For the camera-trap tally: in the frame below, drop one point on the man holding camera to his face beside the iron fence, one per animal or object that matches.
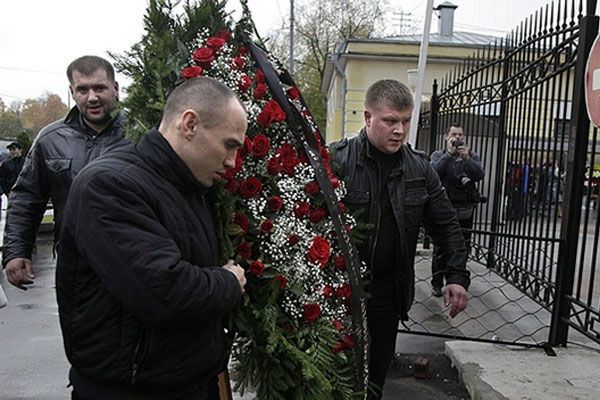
(459, 168)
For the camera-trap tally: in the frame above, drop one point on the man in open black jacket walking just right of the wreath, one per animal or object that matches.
(397, 190)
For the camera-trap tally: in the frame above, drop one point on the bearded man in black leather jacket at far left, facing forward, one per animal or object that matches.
(59, 152)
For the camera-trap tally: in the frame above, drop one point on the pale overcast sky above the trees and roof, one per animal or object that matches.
(39, 38)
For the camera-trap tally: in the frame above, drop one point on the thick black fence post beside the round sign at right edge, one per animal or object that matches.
(575, 168)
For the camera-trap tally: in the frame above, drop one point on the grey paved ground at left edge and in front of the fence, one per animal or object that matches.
(33, 365)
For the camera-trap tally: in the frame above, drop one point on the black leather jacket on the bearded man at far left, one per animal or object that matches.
(58, 153)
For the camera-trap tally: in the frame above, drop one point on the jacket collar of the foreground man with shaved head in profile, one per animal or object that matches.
(158, 153)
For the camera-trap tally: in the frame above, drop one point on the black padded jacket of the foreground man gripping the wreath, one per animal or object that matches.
(140, 291)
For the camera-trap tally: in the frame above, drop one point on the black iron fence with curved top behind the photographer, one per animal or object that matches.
(535, 242)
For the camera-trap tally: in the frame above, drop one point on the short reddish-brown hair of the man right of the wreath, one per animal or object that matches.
(388, 92)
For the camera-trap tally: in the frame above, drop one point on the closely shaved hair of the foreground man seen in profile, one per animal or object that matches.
(207, 96)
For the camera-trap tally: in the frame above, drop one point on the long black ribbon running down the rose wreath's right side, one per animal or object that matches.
(304, 134)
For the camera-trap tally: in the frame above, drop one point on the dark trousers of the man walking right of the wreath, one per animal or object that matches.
(382, 319)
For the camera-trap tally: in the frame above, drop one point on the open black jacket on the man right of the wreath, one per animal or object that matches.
(417, 197)
